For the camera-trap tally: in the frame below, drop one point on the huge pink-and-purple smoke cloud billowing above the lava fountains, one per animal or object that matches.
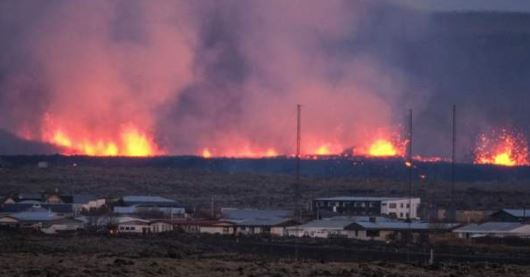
(228, 74)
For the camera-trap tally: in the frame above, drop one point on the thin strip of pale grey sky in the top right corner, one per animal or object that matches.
(470, 5)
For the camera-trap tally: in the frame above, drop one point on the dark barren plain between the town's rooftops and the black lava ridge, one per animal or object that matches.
(196, 188)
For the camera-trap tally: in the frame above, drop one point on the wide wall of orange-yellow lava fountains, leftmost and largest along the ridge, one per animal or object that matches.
(131, 142)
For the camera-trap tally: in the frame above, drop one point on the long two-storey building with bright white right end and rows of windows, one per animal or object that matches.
(397, 207)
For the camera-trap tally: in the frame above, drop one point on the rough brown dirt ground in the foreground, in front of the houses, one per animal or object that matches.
(39, 255)
